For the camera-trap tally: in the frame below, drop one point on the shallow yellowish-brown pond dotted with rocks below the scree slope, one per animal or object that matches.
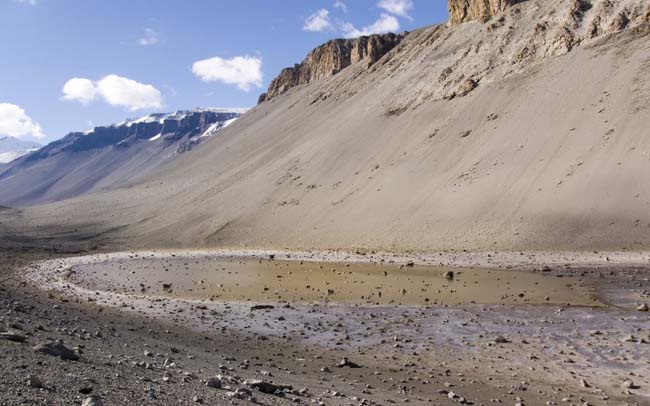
(237, 279)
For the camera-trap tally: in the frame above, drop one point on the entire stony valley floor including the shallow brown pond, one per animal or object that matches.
(131, 327)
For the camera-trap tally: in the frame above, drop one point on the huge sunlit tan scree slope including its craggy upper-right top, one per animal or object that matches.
(549, 148)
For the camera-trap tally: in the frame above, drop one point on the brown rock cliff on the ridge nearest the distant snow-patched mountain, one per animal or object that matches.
(330, 58)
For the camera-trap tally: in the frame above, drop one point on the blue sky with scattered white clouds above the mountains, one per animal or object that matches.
(132, 57)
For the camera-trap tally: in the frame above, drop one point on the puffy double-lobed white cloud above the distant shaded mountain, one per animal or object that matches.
(114, 90)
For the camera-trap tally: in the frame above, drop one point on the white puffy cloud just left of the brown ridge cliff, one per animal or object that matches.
(243, 71)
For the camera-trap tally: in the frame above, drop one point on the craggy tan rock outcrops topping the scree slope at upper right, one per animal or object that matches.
(519, 34)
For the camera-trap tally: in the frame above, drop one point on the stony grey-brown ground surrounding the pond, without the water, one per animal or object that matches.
(147, 349)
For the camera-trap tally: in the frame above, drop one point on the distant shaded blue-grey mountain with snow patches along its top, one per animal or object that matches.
(105, 157)
